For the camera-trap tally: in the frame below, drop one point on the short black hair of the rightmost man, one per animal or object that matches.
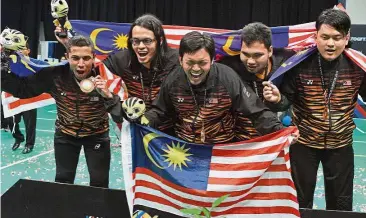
(335, 18)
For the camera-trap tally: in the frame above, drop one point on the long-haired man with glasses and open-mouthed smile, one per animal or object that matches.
(146, 63)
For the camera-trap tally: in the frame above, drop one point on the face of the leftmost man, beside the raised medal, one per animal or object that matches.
(81, 61)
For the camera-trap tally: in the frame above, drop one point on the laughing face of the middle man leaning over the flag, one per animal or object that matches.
(196, 66)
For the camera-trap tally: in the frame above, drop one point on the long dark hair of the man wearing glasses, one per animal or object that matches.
(152, 23)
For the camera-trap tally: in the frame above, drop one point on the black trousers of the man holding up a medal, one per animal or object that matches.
(97, 154)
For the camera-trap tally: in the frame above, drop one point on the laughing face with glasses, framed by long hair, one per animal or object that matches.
(144, 45)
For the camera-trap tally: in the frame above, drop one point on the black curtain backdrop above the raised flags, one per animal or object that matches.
(26, 15)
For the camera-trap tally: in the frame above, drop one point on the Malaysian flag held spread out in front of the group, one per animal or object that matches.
(165, 176)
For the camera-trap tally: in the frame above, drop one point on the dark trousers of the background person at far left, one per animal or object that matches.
(30, 122)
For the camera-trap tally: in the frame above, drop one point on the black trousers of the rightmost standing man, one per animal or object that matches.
(338, 169)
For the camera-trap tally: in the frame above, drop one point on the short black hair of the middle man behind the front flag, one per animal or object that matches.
(194, 41)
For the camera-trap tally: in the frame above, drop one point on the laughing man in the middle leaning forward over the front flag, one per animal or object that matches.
(202, 97)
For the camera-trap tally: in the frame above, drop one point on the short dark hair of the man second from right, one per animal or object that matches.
(257, 32)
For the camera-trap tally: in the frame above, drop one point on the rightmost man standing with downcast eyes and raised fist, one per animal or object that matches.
(323, 90)
